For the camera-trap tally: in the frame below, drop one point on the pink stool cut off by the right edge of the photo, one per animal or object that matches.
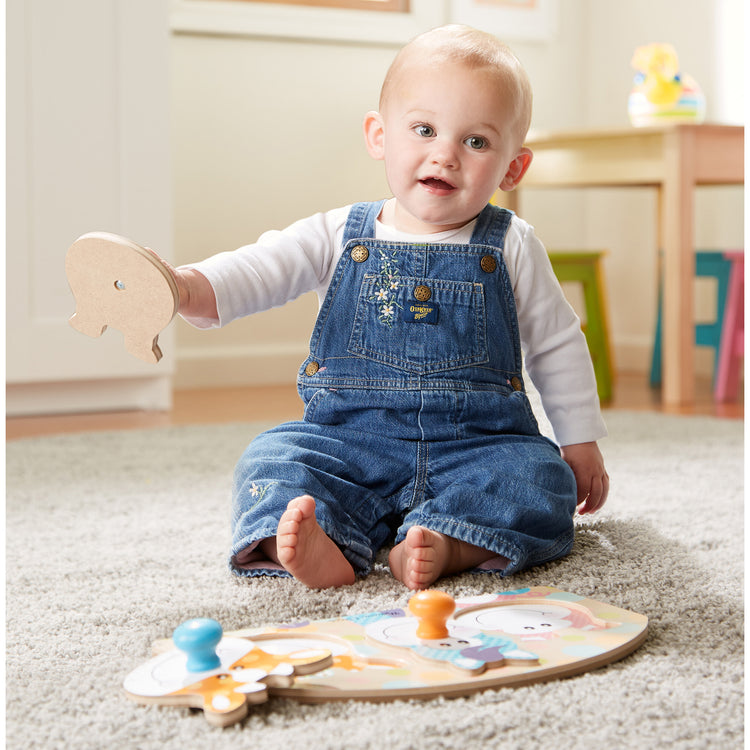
(732, 346)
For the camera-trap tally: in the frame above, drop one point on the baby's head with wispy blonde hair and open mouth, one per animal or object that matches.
(454, 111)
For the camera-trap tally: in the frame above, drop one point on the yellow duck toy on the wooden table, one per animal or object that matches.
(661, 94)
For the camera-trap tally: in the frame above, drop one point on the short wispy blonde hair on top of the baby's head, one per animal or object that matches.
(475, 49)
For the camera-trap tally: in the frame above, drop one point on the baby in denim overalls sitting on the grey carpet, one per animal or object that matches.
(417, 429)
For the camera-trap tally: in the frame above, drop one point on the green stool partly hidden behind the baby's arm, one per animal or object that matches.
(585, 267)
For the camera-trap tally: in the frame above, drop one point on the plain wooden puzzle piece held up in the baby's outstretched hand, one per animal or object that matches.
(120, 284)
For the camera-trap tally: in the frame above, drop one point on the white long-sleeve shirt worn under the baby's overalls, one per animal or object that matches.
(282, 265)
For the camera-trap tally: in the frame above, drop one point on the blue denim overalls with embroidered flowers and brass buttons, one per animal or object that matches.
(415, 411)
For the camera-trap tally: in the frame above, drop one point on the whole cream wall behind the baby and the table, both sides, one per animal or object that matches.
(267, 130)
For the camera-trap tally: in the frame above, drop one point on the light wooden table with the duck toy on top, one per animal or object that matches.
(674, 159)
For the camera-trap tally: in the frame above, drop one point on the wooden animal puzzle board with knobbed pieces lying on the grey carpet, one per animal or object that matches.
(438, 647)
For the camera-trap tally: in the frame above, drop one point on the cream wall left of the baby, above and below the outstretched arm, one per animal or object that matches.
(265, 132)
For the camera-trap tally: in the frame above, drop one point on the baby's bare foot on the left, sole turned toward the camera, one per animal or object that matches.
(306, 551)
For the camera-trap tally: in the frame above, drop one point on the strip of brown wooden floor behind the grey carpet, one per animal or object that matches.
(281, 403)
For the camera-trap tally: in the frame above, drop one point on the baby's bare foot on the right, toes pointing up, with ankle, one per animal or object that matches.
(426, 555)
